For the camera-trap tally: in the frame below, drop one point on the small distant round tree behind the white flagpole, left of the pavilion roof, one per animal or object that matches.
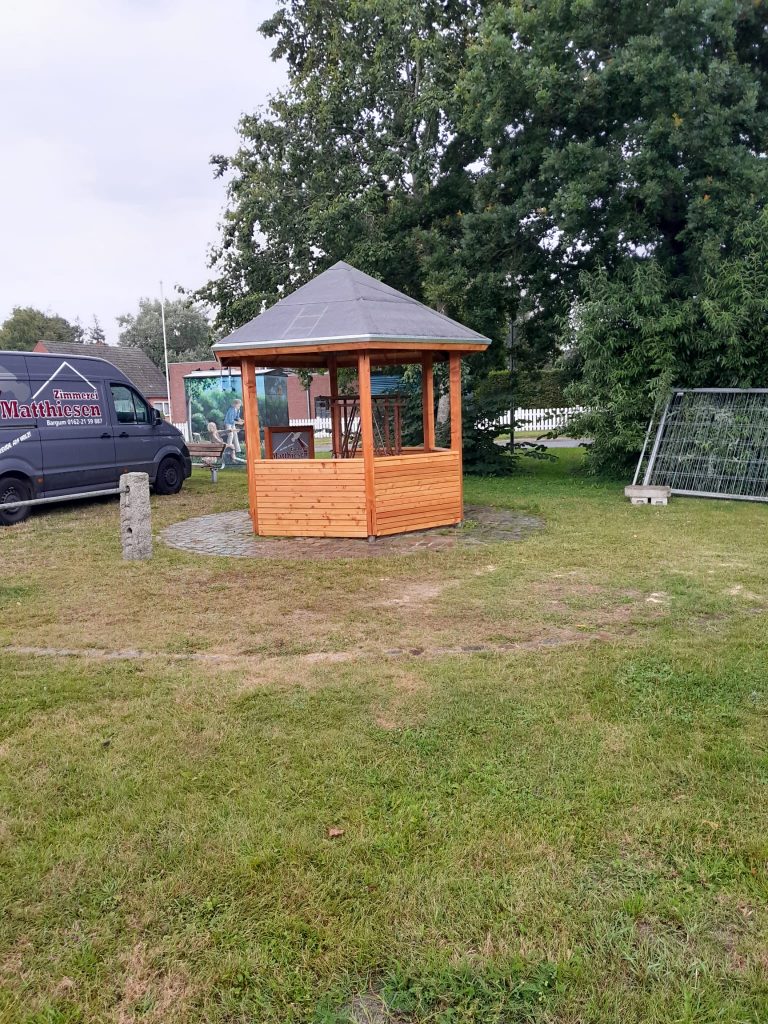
(188, 331)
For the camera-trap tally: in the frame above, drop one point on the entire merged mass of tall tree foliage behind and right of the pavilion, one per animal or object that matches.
(583, 168)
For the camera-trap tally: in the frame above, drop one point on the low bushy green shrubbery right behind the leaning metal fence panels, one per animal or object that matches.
(637, 343)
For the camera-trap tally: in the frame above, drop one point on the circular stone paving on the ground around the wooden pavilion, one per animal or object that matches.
(230, 534)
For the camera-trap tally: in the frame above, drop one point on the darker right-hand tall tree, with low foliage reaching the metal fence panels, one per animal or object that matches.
(625, 167)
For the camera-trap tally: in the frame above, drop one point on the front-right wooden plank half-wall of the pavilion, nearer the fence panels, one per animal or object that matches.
(418, 492)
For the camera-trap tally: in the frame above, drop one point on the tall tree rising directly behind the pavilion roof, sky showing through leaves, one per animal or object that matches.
(359, 158)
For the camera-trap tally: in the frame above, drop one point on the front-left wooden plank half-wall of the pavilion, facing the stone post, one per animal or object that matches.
(312, 498)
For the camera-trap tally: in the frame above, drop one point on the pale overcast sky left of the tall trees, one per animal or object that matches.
(109, 113)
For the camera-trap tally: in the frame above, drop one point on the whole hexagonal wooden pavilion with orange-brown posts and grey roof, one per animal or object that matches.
(372, 486)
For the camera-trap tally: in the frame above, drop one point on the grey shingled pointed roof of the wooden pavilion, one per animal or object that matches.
(345, 305)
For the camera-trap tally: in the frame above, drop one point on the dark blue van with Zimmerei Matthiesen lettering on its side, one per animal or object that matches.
(73, 424)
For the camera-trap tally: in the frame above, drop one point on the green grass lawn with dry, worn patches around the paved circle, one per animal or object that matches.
(573, 832)
